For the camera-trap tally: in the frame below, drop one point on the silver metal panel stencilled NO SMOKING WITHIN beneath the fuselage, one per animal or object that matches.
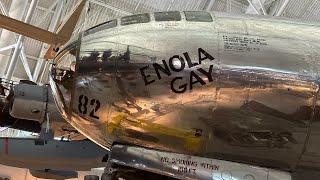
(190, 167)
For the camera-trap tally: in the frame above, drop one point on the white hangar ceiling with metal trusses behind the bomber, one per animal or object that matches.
(48, 14)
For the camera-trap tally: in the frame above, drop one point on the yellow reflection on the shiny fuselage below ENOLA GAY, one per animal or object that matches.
(141, 131)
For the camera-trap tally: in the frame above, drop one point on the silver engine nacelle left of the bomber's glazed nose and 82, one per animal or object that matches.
(33, 102)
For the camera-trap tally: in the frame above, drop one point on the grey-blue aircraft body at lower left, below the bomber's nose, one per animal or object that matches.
(51, 159)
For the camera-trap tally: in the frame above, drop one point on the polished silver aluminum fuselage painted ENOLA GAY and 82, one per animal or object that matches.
(240, 88)
